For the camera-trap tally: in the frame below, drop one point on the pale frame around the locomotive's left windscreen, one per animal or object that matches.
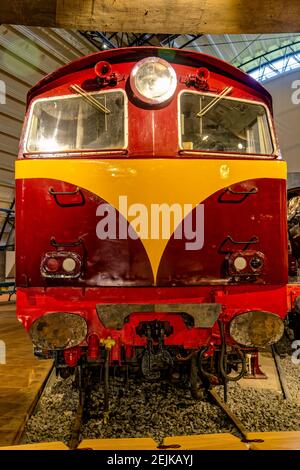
(63, 153)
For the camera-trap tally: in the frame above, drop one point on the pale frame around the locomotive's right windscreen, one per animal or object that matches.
(182, 150)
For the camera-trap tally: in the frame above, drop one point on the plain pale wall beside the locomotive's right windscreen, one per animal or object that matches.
(287, 120)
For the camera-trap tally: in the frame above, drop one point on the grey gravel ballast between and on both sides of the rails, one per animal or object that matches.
(157, 410)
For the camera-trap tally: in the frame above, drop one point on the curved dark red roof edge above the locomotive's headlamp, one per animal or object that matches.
(133, 53)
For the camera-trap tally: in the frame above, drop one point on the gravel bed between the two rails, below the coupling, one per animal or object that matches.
(157, 411)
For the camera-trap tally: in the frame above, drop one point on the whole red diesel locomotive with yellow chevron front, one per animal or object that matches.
(114, 144)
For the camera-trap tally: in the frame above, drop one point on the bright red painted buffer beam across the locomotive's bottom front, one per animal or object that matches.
(34, 302)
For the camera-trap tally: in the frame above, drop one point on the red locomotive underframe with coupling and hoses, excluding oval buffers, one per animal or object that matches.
(162, 341)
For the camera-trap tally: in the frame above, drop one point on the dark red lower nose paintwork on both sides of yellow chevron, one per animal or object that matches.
(132, 267)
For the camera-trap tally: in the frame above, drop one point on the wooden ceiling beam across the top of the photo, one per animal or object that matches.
(157, 16)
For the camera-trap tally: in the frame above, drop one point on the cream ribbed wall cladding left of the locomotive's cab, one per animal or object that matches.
(27, 55)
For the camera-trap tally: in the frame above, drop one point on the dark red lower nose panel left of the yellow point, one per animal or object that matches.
(101, 265)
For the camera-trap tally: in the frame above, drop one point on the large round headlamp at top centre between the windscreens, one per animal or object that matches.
(153, 80)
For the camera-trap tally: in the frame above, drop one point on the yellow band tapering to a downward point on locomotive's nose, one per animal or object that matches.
(151, 181)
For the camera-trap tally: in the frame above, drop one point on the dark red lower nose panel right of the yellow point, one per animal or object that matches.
(257, 215)
